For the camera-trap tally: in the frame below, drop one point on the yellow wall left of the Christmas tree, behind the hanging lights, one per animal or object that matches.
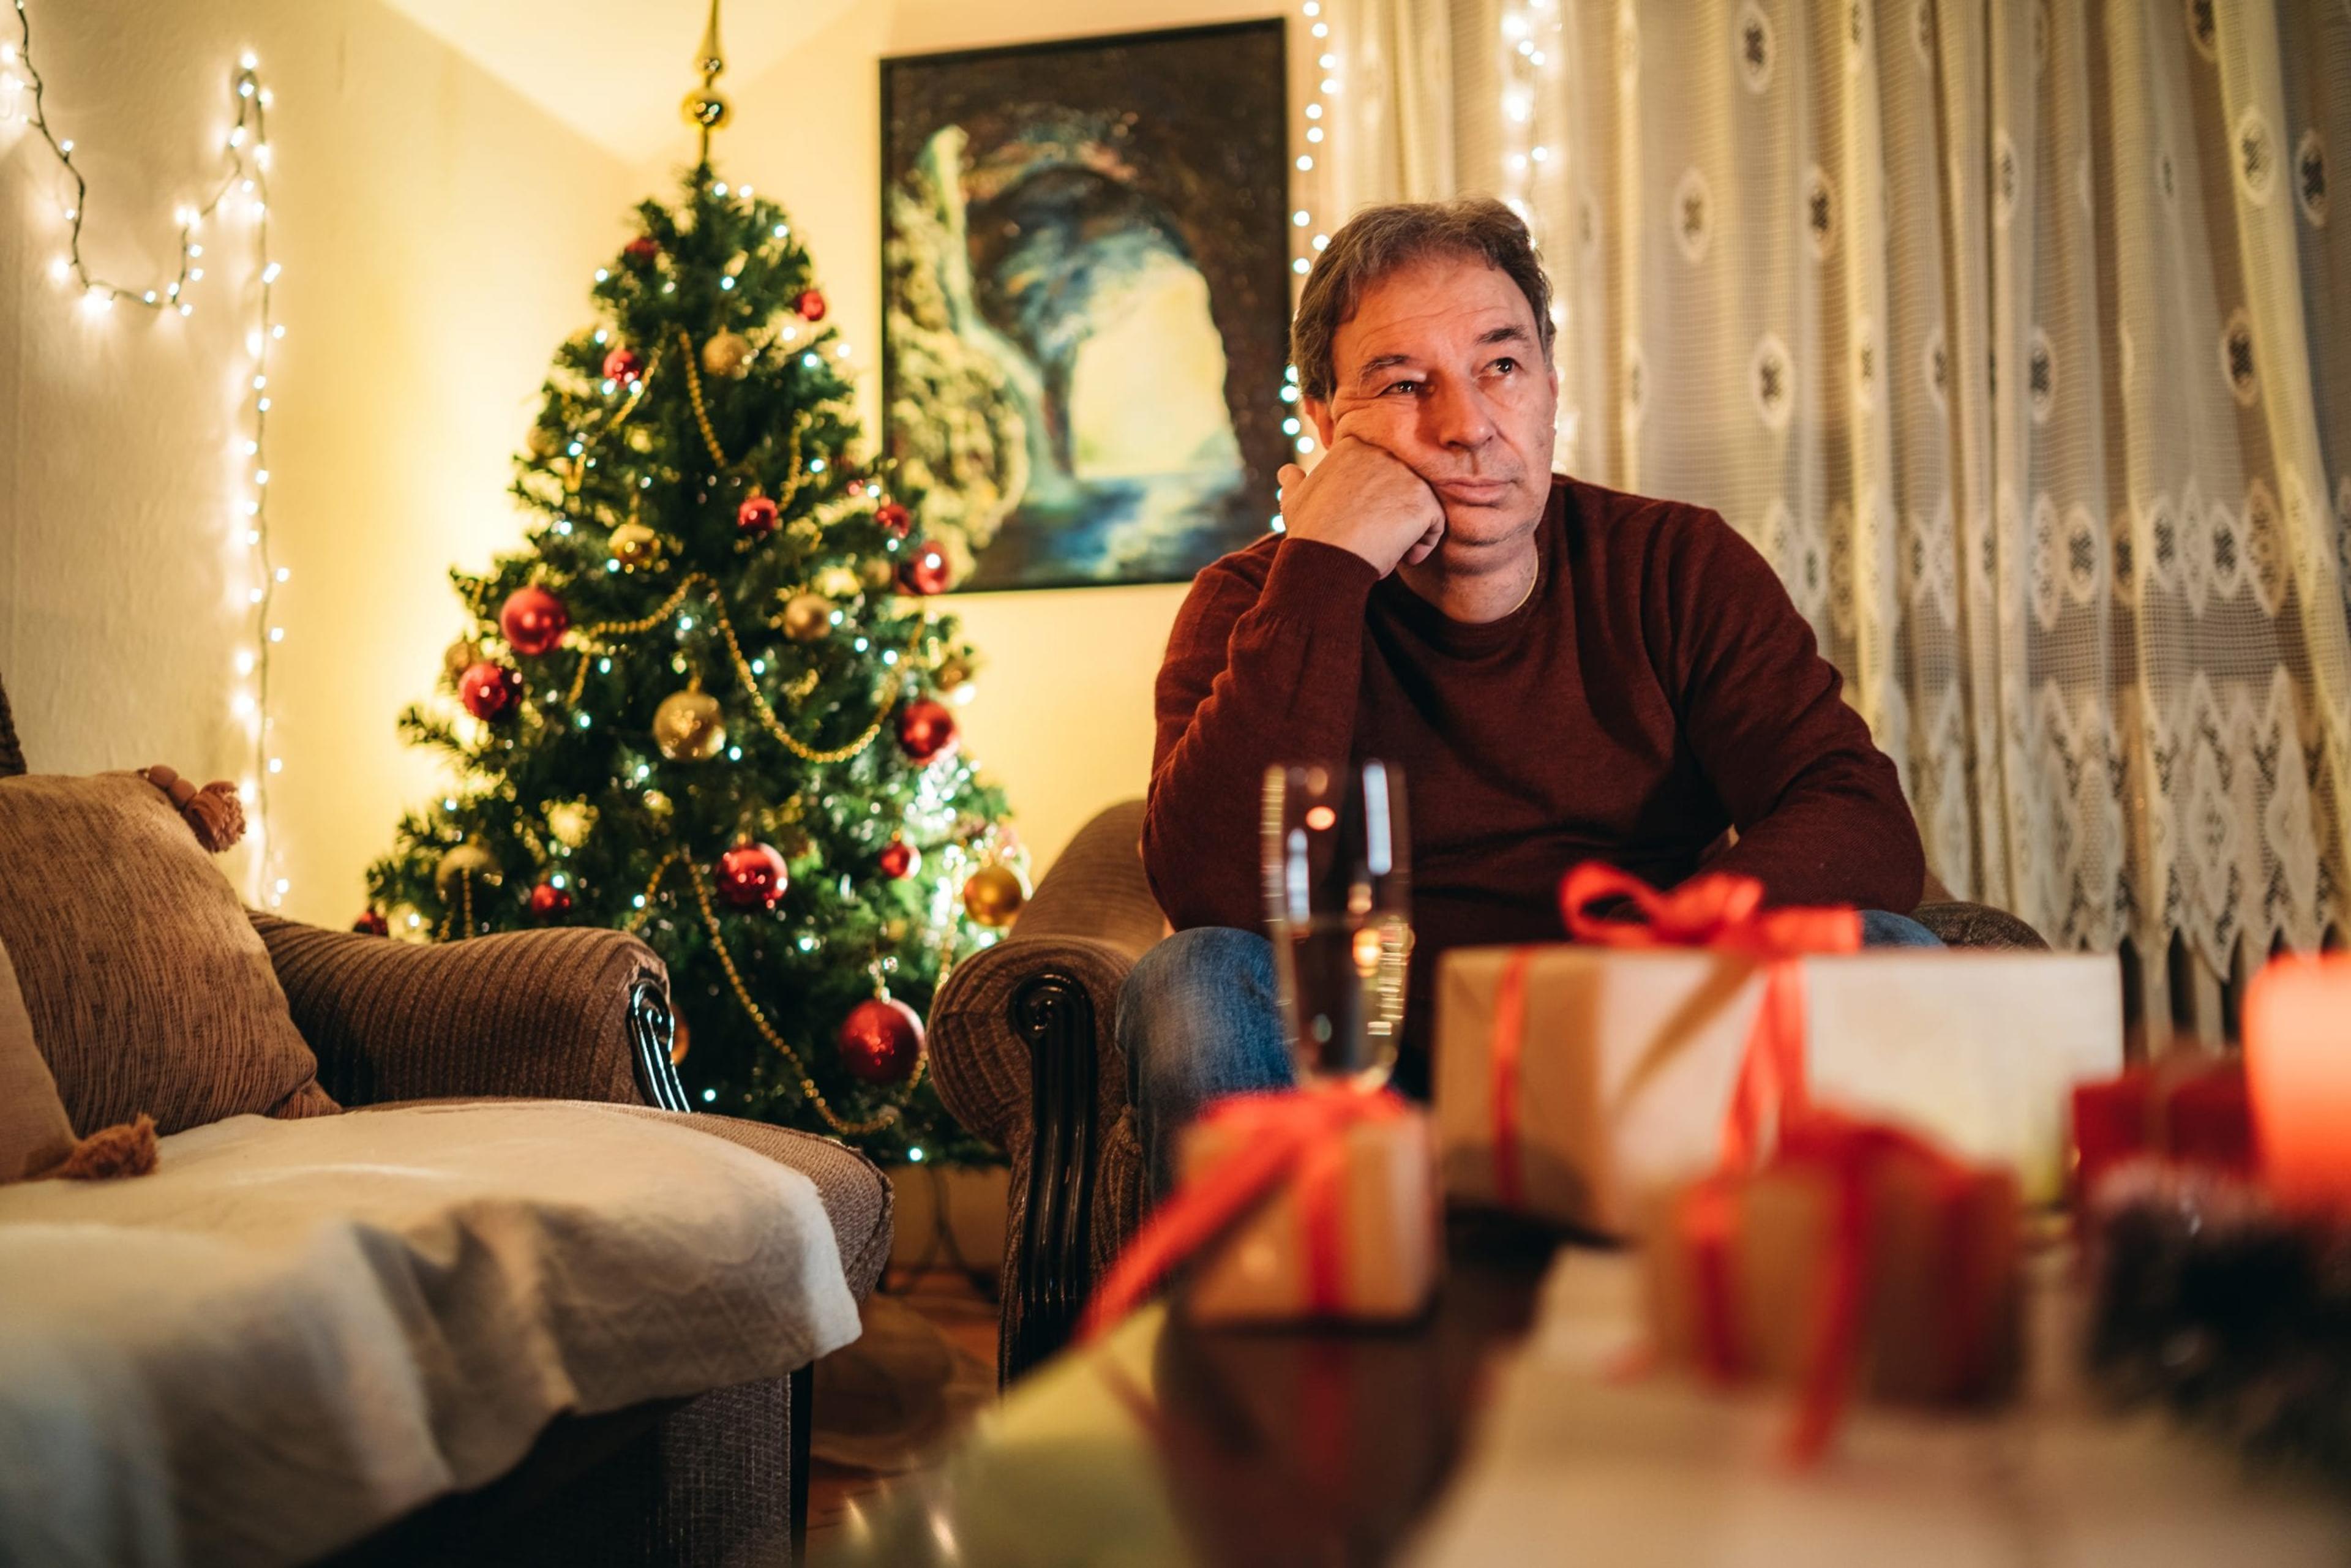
(436, 236)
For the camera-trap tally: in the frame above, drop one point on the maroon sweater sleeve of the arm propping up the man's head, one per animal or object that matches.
(1254, 676)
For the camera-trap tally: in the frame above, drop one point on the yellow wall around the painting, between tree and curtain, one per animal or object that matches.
(1064, 706)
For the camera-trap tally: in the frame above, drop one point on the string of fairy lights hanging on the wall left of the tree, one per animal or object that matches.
(241, 196)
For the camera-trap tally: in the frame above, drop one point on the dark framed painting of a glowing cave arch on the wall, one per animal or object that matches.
(1085, 290)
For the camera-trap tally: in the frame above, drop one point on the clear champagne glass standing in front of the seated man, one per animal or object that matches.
(1339, 913)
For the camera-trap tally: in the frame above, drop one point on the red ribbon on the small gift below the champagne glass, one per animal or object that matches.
(1290, 1137)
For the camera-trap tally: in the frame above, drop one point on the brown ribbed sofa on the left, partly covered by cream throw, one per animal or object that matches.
(714, 1475)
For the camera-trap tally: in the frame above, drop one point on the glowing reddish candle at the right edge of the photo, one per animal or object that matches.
(2298, 1073)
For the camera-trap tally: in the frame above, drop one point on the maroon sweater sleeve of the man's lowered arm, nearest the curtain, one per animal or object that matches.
(1818, 808)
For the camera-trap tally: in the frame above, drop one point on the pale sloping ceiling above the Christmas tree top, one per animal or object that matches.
(615, 69)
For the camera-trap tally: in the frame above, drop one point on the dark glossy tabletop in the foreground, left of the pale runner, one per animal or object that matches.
(1179, 1445)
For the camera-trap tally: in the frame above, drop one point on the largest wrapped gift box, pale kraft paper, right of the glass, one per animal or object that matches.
(1628, 1064)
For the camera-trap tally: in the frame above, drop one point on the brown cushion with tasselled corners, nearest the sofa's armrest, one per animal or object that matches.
(145, 981)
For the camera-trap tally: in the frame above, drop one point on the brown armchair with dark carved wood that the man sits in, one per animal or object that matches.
(1026, 1054)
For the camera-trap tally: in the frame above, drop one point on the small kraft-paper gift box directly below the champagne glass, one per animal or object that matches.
(1381, 1249)
